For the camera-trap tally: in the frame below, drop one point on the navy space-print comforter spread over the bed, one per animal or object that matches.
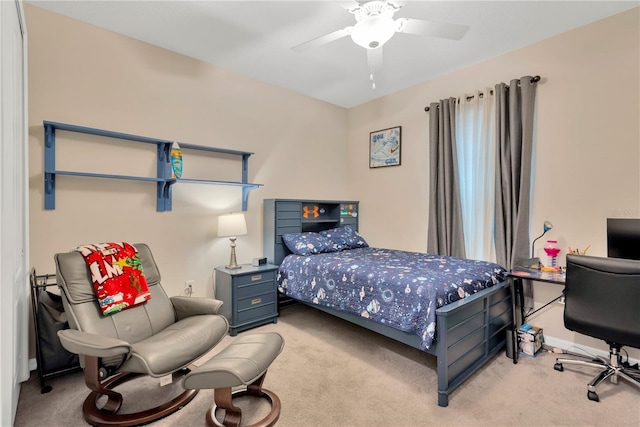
(396, 288)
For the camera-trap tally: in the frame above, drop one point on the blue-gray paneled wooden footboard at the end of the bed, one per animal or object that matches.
(469, 332)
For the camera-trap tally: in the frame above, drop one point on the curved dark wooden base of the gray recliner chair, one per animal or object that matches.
(107, 415)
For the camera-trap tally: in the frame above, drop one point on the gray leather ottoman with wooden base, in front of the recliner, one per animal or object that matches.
(243, 363)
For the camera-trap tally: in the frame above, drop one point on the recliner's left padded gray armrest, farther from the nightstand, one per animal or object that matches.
(87, 344)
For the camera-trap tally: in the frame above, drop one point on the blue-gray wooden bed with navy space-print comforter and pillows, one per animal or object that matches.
(455, 309)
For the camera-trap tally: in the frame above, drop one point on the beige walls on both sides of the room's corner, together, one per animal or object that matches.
(586, 168)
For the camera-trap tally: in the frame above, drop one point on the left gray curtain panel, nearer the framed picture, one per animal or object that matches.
(445, 235)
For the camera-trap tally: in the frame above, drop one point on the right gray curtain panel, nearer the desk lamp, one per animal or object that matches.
(514, 133)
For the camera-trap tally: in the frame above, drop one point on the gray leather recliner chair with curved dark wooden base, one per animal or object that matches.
(161, 337)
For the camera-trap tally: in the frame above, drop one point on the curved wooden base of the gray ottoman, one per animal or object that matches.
(223, 399)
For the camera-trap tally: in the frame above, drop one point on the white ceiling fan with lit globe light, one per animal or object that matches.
(375, 26)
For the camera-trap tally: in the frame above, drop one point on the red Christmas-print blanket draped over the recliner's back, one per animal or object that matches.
(117, 276)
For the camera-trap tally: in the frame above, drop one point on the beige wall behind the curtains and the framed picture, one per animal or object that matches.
(587, 144)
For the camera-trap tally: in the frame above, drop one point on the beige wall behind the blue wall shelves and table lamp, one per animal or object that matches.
(84, 75)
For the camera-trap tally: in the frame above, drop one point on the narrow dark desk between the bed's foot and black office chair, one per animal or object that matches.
(515, 276)
